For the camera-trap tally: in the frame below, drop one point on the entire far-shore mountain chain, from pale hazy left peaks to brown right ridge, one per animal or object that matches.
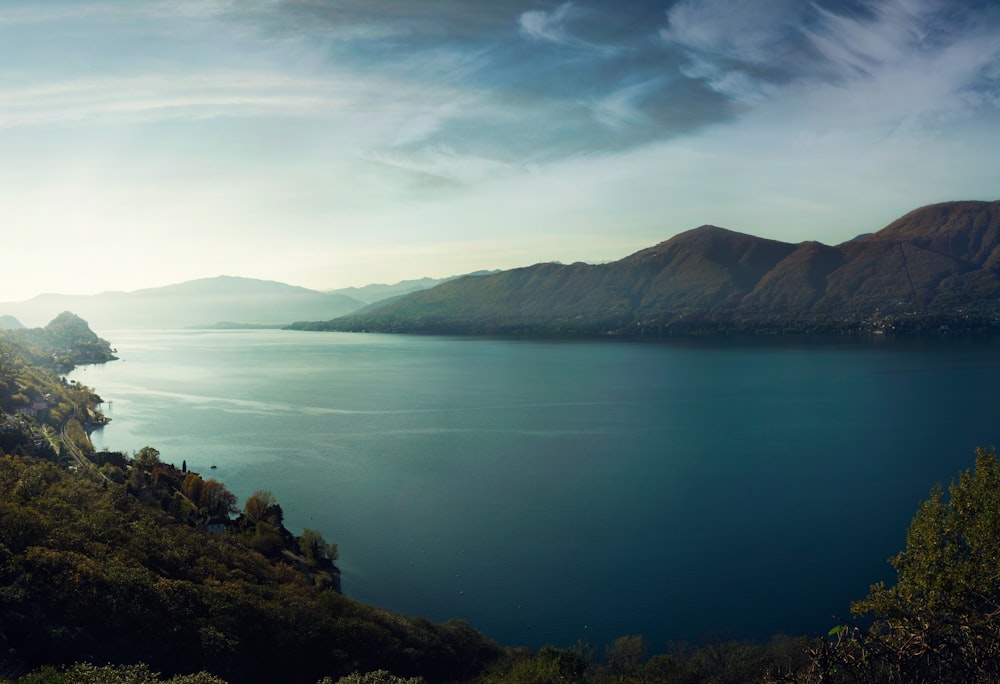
(936, 266)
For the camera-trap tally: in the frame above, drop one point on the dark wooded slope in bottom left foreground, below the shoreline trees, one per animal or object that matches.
(90, 572)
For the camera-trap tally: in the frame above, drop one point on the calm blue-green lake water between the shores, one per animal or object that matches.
(551, 491)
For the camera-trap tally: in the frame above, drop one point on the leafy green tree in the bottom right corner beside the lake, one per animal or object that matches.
(941, 620)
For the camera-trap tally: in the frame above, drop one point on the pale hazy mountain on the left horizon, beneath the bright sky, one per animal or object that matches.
(200, 302)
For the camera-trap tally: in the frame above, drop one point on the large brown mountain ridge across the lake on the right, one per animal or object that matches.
(936, 266)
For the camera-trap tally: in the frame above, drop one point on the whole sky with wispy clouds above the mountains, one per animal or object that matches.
(331, 143)
